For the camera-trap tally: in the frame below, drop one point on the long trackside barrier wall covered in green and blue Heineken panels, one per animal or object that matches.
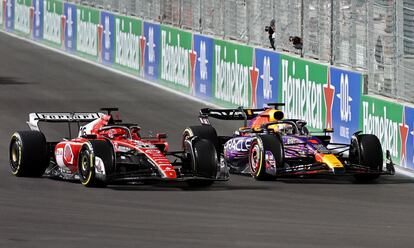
(218, 71)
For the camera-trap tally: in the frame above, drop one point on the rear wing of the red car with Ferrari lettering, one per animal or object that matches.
(58, 117)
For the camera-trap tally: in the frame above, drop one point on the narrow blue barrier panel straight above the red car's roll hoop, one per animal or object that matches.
(107, 39)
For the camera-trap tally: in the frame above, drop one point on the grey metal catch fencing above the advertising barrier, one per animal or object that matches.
(372, 36)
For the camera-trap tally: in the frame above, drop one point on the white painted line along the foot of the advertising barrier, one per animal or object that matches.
(401, 171)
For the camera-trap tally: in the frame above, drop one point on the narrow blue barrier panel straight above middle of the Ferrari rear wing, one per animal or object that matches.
(70, 26)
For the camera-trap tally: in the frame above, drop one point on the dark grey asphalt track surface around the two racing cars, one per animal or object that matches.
(240, 213)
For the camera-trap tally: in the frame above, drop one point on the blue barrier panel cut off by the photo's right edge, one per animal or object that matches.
(408, 147)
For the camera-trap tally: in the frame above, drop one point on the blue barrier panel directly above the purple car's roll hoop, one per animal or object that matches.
(267, 64)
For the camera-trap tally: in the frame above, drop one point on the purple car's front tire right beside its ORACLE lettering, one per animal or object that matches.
(257, 155)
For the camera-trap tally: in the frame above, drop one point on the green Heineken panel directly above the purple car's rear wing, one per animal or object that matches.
(231, 74)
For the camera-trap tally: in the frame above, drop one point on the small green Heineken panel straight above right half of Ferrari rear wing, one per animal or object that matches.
(87, 32)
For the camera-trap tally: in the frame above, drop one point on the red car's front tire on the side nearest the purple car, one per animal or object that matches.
(205, 162)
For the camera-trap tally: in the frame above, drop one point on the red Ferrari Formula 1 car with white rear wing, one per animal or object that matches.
(107, 151)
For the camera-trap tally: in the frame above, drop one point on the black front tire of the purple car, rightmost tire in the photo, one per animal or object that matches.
(366, 150)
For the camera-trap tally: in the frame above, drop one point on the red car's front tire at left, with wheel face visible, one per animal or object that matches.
(90, 151)
